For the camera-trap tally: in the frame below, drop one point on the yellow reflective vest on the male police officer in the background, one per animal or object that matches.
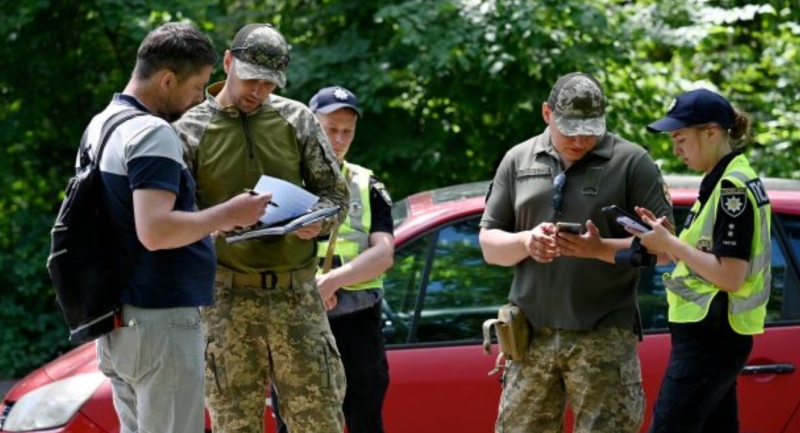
(353, 237)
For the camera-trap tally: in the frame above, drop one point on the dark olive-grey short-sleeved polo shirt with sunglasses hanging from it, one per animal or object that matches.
(574, 293)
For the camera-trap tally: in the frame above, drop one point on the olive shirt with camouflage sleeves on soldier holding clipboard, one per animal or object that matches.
(228, 151)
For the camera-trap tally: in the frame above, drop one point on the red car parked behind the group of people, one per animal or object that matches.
(438, 294)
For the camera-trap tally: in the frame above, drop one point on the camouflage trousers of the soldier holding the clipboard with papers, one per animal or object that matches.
(254, 334)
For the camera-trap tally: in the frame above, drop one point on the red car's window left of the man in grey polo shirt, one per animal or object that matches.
(460, 289)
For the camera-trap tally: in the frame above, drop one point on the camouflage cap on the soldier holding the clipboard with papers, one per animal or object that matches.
(261, 53)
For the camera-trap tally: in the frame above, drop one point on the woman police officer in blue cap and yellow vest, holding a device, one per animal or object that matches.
(719, 289)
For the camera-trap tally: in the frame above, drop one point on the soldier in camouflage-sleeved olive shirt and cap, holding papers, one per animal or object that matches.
(269, 320)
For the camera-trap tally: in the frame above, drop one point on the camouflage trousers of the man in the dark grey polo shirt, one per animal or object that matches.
(596, 372)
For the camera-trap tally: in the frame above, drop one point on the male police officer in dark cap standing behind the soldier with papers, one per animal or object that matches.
(358, 255)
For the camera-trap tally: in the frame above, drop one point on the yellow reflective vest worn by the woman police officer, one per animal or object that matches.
(689, 295)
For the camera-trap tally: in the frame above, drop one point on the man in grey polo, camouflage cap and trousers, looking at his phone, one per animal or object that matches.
(581, 306)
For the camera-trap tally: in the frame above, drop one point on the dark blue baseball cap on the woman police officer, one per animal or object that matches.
(696, 107)
